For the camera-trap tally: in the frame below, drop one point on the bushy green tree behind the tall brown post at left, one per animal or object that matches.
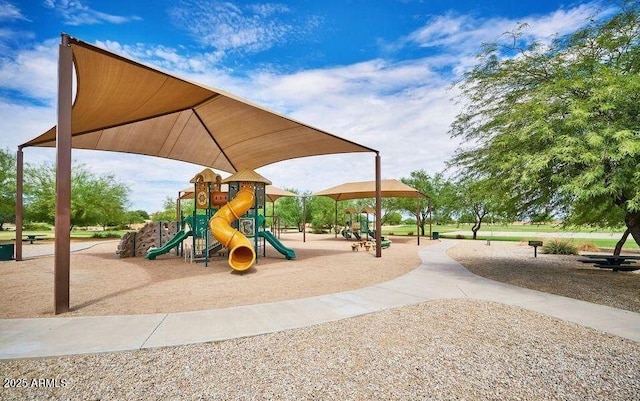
(94, 199)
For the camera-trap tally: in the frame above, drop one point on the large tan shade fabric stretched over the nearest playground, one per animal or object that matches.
(124, 106)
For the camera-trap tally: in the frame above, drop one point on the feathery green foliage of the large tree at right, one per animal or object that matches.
(556, 127)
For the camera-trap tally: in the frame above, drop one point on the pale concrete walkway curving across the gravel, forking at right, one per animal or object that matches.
(437, 277)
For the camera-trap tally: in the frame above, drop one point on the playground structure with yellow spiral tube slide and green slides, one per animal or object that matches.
(230, 220)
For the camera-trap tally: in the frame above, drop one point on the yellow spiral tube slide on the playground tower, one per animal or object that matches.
(241, 253)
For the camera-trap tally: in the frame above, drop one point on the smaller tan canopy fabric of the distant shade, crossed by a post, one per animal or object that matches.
(367, 189)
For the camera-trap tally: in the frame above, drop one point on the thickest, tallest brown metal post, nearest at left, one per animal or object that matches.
(63, 178)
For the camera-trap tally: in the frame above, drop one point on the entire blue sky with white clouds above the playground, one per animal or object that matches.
(375, 72)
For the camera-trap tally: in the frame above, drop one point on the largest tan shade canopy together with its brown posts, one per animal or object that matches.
(124, 106)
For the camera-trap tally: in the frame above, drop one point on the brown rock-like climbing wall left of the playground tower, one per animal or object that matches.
(151, 234)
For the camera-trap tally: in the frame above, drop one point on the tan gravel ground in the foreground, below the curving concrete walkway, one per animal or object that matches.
(440, 350)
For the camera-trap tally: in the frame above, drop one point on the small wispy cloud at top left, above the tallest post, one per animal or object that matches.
(73, 12)
